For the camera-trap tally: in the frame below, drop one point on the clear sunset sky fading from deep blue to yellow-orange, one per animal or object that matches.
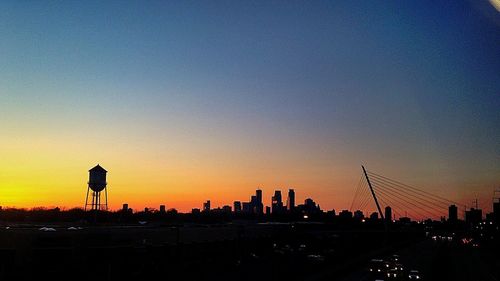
(184, 101)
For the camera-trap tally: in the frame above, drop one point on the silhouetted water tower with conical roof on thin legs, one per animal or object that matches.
(97, 183)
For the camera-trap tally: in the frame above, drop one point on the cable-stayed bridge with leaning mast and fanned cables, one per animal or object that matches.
(375, 192)
